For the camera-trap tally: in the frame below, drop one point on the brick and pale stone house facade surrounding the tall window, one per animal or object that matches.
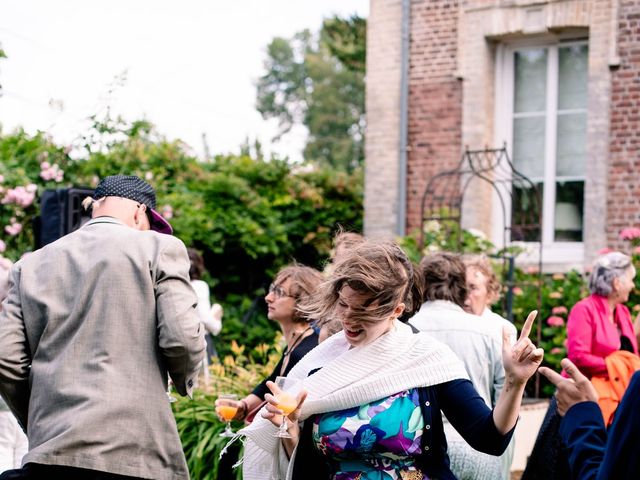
(454, 88)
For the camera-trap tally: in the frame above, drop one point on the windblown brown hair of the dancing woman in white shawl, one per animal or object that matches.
(380, 271)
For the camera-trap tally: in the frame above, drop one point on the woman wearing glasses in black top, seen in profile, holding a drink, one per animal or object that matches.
(293, 285)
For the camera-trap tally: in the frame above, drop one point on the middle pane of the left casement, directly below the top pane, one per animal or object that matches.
(528, 146)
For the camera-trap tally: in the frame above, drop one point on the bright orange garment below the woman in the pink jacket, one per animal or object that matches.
(620, 367)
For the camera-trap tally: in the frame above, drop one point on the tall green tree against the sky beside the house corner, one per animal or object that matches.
(318, 81)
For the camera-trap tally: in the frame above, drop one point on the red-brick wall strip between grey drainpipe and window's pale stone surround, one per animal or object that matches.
(435, 98)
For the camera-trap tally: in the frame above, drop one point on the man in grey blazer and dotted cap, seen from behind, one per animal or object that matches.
(92, 325)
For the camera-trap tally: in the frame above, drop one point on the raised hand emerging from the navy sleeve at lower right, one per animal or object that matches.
(571, 390)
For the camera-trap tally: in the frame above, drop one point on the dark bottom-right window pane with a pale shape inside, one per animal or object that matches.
(569, 211)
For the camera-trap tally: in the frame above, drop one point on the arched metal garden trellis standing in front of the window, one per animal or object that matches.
(518, 202)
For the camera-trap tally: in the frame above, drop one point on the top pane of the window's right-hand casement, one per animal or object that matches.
(572, 77)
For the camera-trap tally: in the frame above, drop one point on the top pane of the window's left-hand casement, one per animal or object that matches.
(530, 90)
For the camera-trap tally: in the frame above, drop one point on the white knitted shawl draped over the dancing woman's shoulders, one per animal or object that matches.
(396, 361)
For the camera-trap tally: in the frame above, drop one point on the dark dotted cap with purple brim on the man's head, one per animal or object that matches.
(136, 189)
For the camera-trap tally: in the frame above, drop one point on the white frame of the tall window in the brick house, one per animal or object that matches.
(556, 255)
